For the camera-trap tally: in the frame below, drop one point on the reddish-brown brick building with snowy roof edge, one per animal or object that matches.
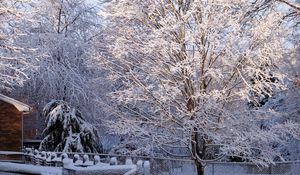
(11, 123)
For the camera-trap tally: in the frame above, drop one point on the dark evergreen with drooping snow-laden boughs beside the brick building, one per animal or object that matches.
(67, 131)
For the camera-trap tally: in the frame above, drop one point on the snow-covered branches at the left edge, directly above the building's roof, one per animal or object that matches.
(15, 64)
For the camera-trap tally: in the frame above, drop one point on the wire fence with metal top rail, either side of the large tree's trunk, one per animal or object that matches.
(176, 167)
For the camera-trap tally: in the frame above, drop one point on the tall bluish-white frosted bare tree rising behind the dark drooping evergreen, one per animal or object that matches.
(62, 32)
